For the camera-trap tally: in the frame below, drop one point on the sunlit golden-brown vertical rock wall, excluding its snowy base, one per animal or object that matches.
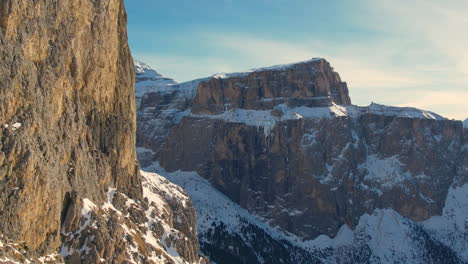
(67, 113)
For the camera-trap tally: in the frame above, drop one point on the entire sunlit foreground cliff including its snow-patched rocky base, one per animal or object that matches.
(70, 187)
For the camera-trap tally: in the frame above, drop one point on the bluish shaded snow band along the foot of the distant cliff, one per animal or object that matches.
(390, 237)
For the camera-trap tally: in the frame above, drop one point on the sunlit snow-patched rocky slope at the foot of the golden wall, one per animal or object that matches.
(155, 232)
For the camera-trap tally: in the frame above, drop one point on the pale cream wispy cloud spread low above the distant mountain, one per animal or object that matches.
(419, 56)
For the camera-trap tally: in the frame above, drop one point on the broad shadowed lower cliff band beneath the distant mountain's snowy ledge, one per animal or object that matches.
(312, 176)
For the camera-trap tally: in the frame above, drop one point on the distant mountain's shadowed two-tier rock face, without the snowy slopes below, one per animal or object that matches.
(307, 167)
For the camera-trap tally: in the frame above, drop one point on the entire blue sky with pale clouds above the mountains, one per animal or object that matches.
(406, 53)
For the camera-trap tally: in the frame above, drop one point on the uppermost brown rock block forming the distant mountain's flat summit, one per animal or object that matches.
(310, 83)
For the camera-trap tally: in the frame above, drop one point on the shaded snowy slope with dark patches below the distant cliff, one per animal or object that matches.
(381, 237)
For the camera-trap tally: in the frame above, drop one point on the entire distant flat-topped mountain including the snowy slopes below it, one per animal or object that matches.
(294, 173)
